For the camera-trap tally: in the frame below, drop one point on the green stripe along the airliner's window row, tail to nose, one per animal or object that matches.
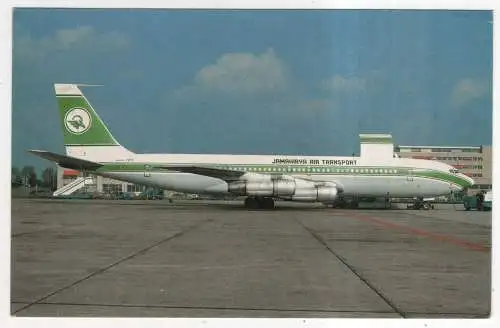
(312, 170)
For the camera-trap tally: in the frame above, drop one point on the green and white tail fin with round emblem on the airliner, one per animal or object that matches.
(85, 134)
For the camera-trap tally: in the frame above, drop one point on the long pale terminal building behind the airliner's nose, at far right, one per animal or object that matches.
(473, 161)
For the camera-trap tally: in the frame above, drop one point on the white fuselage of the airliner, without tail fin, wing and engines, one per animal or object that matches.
(397, 177)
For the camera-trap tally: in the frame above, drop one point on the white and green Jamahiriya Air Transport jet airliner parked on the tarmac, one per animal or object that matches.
(261, 179)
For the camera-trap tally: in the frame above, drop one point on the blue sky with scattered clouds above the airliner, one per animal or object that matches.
(284, 82)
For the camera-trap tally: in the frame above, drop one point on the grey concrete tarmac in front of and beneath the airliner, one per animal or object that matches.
(101, 258)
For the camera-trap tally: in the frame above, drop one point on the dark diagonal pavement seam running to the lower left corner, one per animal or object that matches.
(106, 268)
